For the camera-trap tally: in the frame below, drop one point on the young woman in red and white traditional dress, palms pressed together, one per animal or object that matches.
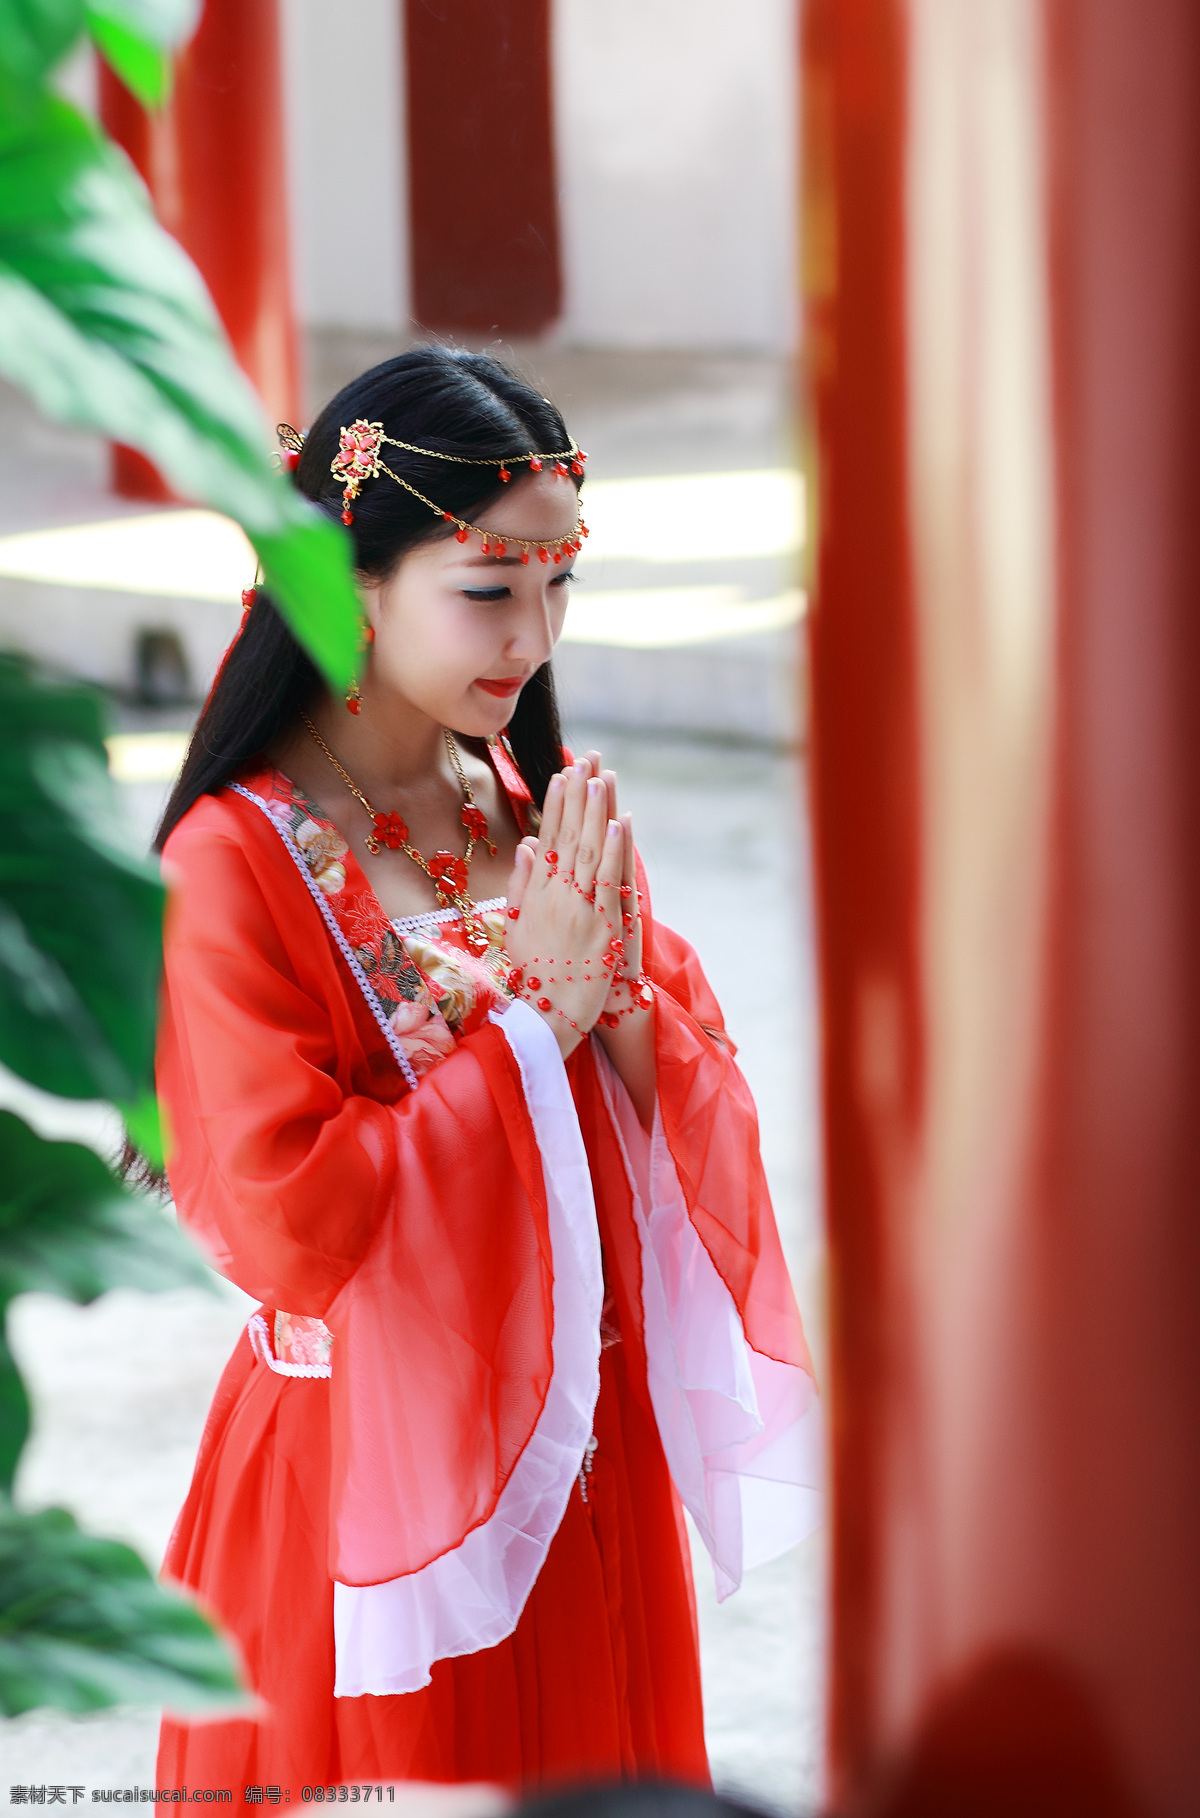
(466, 1123)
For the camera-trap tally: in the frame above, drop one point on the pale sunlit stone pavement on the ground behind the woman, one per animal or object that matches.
(121, 1390)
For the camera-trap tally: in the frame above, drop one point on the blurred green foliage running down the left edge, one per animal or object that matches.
(106, 325)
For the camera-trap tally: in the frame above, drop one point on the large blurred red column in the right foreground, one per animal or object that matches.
(1005, 286)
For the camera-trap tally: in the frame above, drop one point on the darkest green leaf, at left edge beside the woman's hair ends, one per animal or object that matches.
(81, 923)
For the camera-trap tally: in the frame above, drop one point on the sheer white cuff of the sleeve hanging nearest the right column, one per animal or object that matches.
(743, 1432)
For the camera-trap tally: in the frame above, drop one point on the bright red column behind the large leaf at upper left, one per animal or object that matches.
(215, 166)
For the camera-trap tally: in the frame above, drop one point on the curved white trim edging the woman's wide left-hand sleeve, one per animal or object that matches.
(470, 1599)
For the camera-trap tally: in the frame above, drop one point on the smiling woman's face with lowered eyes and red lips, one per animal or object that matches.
(459, 634)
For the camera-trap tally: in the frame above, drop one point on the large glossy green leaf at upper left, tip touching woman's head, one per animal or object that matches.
(108, 325)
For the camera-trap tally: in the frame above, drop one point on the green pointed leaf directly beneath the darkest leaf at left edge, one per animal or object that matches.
(70, 1228)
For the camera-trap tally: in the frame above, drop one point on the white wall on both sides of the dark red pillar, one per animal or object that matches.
(675, 128)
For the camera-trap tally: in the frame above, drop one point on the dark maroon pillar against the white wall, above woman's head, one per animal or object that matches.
(483, 190)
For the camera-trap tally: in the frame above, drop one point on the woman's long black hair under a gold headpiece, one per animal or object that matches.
(443, 399)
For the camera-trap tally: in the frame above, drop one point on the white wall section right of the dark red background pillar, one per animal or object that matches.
(677, 132)
